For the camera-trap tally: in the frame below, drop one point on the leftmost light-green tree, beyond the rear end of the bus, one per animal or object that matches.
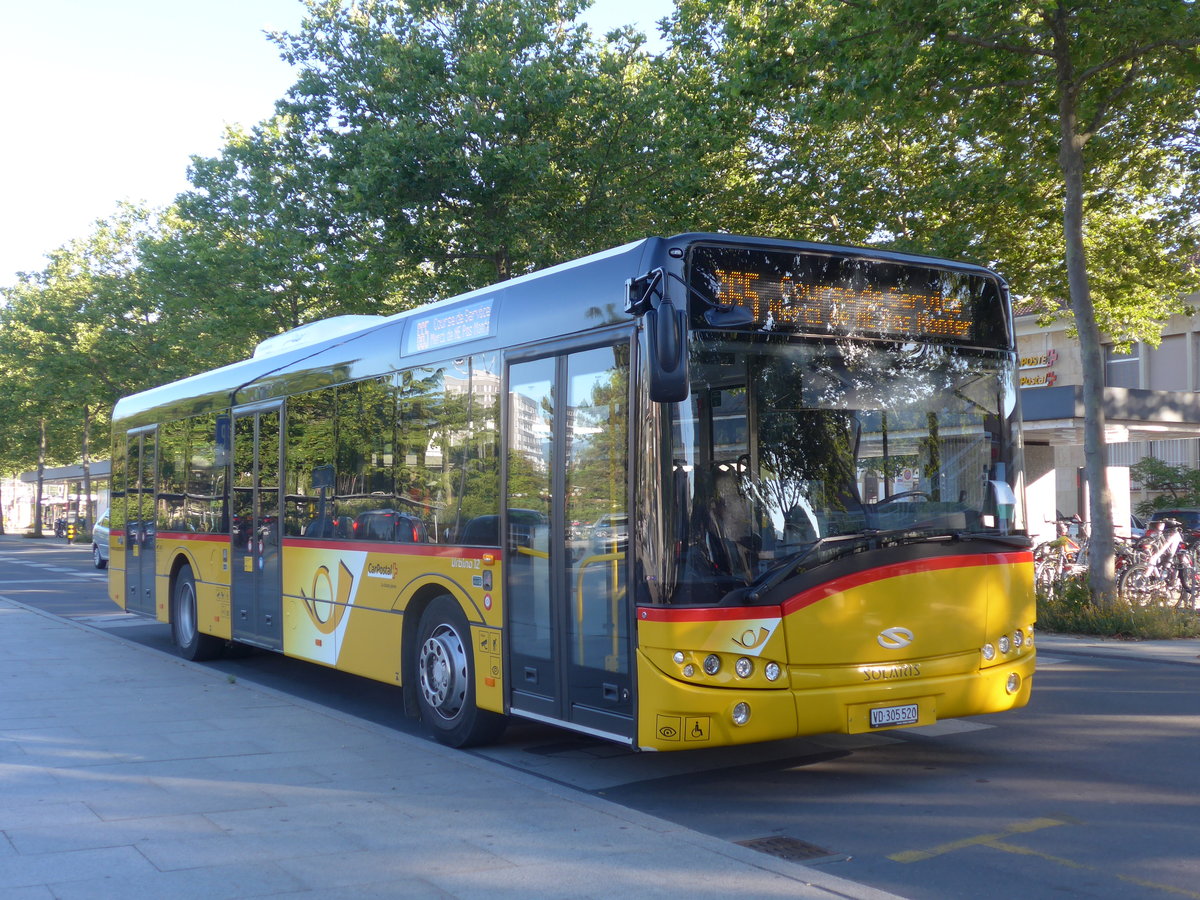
(81, 334)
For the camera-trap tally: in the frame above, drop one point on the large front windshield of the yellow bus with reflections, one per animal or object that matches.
(790, 453)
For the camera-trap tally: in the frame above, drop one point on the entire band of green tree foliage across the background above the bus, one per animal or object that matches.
(437, 146)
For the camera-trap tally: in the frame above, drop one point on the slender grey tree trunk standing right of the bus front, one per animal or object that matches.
(1102, 566)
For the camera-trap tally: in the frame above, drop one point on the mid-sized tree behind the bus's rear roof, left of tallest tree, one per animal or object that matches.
(262, 245)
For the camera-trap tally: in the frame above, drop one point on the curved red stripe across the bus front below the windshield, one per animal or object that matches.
(848, 583)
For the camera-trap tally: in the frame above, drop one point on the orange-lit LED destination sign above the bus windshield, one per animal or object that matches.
(815, 293)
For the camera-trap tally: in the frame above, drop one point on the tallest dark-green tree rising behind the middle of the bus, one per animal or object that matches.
(471, 141)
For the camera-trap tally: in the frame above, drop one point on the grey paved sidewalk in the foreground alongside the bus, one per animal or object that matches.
(125, 772)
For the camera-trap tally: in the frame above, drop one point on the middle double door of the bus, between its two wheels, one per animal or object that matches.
(256, 581)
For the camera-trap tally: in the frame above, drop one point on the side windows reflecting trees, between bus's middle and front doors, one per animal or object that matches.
(410, 458)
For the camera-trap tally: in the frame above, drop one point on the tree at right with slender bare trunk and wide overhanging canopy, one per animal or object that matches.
(1042, 139)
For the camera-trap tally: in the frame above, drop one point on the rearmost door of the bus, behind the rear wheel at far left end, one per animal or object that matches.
(141, 465)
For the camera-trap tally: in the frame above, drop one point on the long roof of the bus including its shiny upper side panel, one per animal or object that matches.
(555, 302)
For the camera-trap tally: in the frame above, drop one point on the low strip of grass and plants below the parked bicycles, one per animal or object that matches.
(1073, 613)
